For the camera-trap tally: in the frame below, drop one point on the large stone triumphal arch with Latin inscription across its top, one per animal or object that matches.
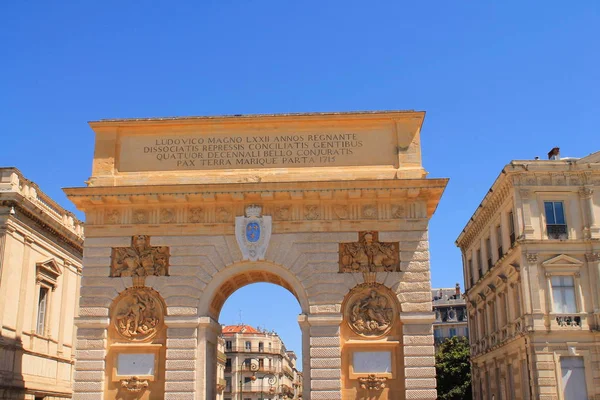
(181, 212)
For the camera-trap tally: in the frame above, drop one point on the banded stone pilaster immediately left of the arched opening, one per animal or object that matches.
(182, 369)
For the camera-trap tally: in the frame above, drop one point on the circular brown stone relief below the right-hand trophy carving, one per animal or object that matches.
(369, 311)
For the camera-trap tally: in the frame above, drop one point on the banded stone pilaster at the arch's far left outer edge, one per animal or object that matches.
(90, 365)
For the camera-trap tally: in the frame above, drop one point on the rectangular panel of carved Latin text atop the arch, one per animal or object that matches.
(247, 151)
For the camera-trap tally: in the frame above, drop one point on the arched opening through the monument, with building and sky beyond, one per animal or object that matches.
(252, 357)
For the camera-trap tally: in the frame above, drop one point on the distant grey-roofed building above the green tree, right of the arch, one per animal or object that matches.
(450, 310)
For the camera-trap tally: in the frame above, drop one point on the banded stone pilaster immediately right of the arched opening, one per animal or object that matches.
(325, 357)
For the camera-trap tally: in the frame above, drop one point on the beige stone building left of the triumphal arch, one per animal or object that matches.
(41, 248)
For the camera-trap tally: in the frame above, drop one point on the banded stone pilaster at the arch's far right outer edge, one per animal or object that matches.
(419, 355)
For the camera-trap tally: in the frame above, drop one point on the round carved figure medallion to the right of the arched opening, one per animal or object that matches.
(371, 314)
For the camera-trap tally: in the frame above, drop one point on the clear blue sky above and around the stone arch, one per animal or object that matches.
(499, 81)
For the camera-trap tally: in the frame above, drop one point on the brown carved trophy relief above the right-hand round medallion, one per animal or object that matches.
(369, 254)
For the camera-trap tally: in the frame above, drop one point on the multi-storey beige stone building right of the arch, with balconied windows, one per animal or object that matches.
(532, 273)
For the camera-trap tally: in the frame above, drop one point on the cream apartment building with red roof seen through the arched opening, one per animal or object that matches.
(258, 366)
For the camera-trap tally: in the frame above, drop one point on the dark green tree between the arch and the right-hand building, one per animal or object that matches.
(453, 369)
